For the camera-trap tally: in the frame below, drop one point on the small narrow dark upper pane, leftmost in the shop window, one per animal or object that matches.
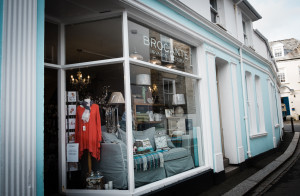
(51, 42)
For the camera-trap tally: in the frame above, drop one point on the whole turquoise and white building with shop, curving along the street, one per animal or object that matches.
(136, 96)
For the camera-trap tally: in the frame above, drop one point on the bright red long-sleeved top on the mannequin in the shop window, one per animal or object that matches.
(88, 134)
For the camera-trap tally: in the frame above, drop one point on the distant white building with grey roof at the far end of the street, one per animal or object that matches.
(286, 53)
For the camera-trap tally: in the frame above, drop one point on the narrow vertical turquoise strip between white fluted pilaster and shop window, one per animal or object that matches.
(40, 98)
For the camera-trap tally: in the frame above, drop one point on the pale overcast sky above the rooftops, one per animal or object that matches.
(280, 18)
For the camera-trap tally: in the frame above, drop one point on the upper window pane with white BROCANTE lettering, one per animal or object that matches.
(148, 45)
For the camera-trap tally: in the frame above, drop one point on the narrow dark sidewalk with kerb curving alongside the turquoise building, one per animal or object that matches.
(238, 183)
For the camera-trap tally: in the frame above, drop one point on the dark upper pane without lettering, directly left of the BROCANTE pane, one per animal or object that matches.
(96, 40)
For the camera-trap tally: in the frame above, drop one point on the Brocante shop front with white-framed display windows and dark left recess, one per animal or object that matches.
(126, 91)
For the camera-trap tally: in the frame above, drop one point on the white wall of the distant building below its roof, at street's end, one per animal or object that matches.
(292, 76)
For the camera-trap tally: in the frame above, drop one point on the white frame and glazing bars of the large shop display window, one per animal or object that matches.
(127, 62)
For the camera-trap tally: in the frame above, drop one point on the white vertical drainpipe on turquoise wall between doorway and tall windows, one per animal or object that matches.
(245, 101)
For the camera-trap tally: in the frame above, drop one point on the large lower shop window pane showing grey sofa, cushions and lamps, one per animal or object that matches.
(167, 130)
